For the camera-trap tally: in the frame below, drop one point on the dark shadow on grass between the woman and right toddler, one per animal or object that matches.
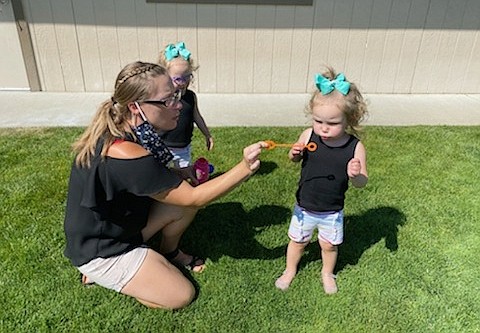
(226, 229)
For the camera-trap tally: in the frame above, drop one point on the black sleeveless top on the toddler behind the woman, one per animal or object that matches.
(181, 136)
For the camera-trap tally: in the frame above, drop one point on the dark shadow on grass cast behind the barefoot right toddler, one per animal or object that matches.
(361, 232)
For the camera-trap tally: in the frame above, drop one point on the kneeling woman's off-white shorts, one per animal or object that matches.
(115, 272)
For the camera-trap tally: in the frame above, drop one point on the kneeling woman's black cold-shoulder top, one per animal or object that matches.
(108, 205)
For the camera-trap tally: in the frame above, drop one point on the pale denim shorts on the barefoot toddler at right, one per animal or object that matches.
(304, 222)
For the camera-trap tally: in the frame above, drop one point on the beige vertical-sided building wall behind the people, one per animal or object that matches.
(386, 46)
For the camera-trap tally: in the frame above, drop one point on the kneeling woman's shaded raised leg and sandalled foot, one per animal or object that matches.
(172, 221)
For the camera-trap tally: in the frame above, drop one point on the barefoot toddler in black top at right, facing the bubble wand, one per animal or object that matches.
(336, 107)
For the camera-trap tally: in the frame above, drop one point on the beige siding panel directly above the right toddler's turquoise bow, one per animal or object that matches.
(338, 44)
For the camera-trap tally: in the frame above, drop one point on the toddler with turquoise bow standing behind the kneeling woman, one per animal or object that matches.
(180, 66)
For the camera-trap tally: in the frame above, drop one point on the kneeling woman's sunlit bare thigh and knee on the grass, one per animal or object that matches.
(159, 284)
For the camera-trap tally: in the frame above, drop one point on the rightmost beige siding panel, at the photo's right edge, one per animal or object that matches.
(471, 77)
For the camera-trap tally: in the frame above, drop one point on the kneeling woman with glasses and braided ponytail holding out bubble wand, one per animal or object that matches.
(122, 192)
